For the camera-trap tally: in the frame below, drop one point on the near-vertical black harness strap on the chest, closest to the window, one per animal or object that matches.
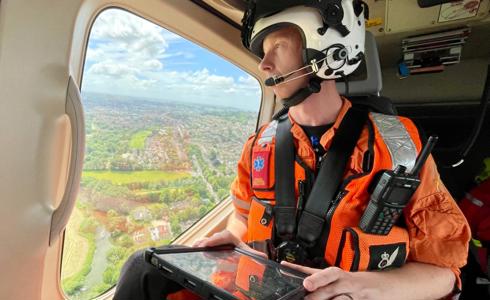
(285, 209)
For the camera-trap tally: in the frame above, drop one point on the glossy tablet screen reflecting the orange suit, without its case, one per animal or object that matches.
(240, 275)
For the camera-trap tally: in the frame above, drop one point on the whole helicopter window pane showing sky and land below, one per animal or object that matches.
(165, 123)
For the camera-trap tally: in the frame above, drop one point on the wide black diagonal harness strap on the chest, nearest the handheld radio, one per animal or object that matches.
(312, 221)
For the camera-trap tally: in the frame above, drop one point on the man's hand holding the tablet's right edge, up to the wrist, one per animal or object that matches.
(330, 283)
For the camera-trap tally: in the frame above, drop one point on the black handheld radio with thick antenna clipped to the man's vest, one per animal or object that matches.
(392, 193)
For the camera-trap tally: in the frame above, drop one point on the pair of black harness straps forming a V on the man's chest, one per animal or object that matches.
(311, 221)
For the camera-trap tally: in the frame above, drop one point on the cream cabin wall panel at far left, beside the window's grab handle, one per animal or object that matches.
(35, 41)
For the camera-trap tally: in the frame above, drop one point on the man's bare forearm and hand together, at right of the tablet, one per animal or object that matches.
(411, 281)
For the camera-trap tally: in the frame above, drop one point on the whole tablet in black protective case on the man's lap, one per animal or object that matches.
(225, 272)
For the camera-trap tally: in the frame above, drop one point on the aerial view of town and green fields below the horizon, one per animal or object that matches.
(151, 170)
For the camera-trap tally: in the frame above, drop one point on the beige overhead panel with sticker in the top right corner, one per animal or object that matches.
(405, 16)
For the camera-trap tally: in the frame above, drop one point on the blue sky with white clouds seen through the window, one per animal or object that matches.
(130, 56)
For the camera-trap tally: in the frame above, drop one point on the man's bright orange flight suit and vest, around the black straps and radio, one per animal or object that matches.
(436, 231)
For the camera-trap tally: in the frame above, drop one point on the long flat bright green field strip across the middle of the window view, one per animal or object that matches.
(127, 177)
